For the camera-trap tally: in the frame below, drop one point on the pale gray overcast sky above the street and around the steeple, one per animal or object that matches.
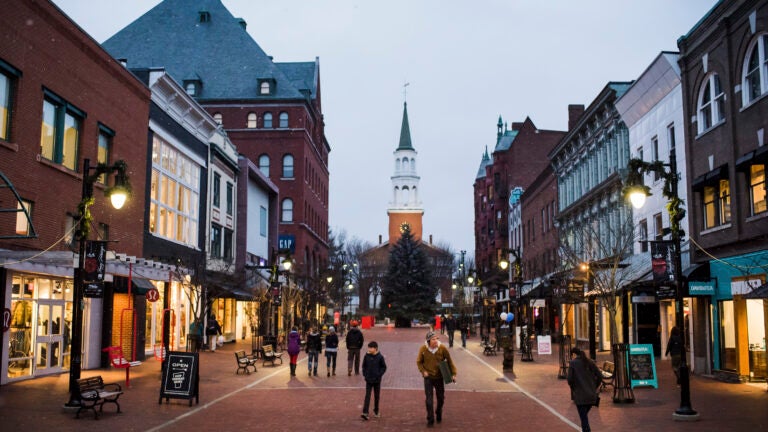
(467, 62)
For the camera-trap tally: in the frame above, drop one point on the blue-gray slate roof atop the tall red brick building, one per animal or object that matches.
(219, 52)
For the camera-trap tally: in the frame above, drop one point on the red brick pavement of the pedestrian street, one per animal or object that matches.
(482, 399)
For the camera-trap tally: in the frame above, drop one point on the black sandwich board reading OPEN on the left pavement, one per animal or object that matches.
(181, 377)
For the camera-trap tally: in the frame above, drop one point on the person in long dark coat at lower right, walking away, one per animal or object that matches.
(584, 378)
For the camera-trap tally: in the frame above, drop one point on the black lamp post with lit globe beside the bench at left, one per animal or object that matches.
(118, 195)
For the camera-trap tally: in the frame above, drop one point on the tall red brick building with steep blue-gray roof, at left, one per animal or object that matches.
(271, 111)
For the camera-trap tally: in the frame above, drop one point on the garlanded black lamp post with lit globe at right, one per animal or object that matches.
(637, 192)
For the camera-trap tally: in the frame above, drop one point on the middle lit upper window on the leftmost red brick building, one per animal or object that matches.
(60, 137)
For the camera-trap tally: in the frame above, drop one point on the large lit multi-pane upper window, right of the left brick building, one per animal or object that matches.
(174, 194)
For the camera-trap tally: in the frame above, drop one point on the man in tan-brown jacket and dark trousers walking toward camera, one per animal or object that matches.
(428, 361)
